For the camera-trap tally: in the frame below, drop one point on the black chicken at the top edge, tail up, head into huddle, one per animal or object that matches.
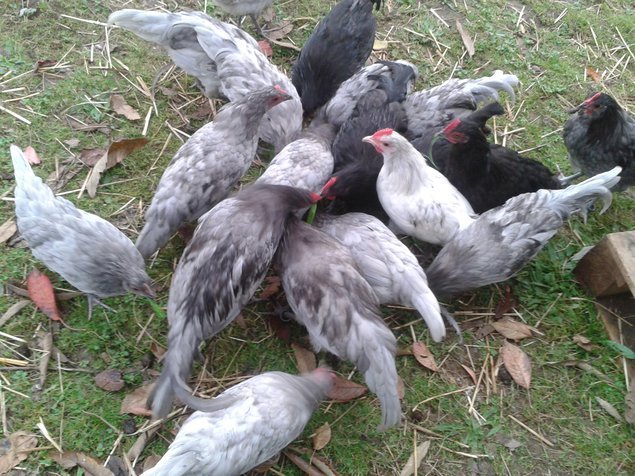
(338, 47)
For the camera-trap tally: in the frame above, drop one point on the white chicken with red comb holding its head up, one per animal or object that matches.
(418, 199)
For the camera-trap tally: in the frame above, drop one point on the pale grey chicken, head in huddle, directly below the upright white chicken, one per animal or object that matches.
(386, 263)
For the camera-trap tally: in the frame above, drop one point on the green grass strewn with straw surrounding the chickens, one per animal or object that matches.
(549, 57)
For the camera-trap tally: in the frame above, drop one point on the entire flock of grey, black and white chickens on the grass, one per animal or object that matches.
(377, 158)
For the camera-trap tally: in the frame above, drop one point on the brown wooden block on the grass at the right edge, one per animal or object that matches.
(609, 268)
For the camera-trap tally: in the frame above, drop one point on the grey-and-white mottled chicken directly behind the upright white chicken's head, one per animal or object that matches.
(431, 110)
